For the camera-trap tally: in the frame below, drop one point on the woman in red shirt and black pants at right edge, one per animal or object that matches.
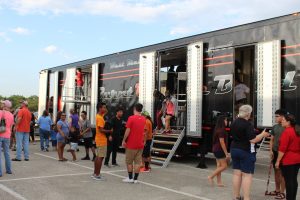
(289, 155)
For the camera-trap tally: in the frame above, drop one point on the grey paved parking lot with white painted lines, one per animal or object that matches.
(43, 177)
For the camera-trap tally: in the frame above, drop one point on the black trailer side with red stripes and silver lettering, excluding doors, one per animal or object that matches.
(119, 72)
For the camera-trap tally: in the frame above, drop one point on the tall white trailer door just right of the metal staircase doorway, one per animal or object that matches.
(194, 89)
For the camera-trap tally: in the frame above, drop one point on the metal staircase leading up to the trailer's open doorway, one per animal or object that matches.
(165, 146)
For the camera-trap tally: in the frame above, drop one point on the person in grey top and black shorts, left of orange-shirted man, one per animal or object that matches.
(86, 133)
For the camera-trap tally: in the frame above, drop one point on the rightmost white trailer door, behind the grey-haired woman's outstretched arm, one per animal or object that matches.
(268, 82)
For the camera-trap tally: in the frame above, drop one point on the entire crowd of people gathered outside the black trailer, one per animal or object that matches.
(137, 140)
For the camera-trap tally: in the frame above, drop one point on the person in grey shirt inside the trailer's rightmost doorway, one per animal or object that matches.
(241, 90)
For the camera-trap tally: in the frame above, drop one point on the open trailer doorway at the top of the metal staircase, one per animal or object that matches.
(171, 79)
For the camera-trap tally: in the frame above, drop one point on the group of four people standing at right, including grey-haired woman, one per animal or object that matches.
(284, 153)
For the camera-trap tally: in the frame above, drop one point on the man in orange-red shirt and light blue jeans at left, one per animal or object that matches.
(22, 131)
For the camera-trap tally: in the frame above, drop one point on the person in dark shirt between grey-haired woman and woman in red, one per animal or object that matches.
(276, 132)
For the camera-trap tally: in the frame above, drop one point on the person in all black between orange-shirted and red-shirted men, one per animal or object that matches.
(113, 145)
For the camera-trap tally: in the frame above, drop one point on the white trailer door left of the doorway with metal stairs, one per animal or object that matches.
(147, 80)
